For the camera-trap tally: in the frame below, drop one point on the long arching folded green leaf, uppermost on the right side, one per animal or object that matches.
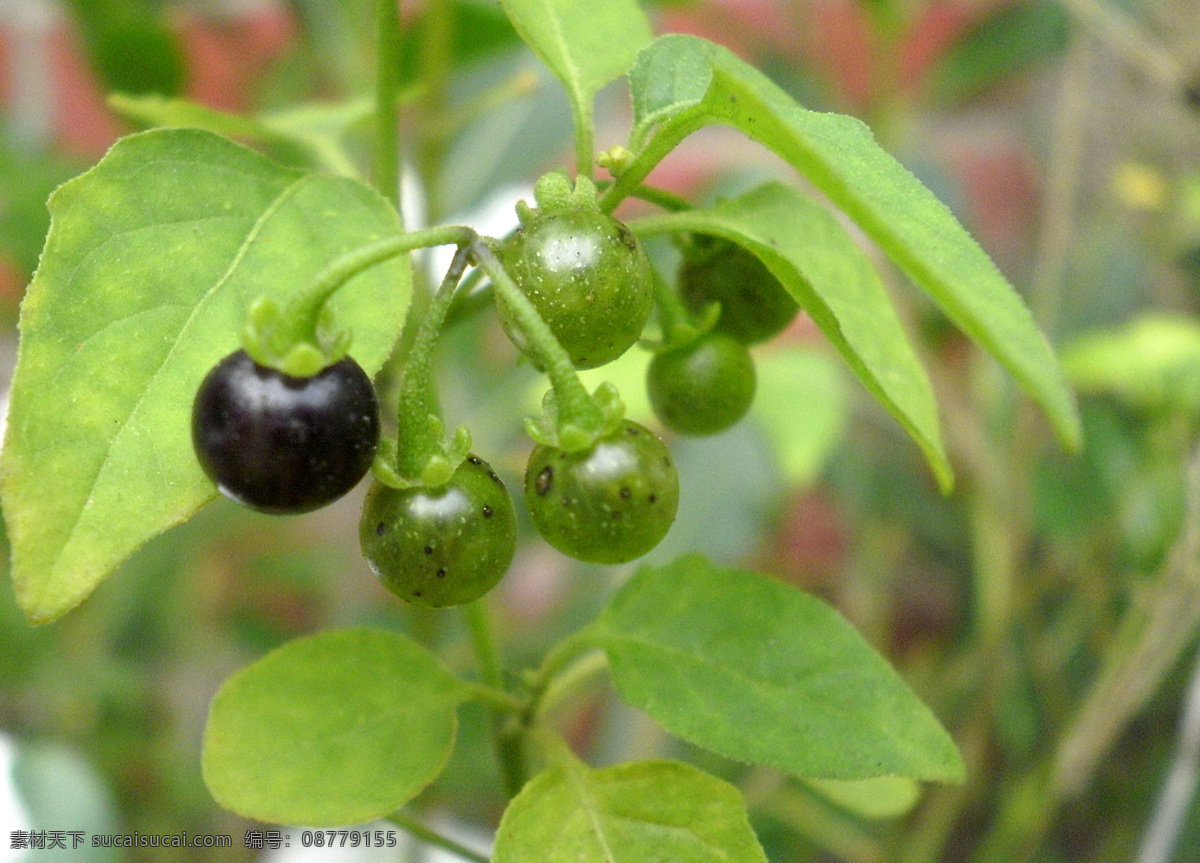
(682, 83)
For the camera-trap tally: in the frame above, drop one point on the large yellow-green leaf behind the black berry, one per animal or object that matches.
(152, 260)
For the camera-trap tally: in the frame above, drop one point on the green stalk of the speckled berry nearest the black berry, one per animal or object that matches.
(417, 439)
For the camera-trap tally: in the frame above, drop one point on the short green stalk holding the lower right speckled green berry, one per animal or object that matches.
(575, 406)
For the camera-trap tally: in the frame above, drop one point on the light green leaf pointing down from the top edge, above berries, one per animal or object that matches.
(586, 45)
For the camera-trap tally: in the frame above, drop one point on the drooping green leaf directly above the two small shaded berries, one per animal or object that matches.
(813, 256)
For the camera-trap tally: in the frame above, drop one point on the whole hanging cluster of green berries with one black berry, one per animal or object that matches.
(574, 290)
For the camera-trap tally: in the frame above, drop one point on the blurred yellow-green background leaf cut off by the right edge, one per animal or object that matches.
(1151, 363)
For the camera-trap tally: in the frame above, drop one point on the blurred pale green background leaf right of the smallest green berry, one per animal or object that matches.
(802, 440)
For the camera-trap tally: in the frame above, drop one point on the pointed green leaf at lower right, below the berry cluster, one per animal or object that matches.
(755, 670)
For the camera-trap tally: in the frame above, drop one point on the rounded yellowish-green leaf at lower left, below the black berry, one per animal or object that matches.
(335, 729)
